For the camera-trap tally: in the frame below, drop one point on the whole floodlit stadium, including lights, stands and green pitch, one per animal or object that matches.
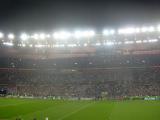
(81, 75)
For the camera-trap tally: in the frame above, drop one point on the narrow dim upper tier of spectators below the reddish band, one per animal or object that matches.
(96, 61)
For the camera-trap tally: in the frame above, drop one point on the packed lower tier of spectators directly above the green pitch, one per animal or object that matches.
(85, 84)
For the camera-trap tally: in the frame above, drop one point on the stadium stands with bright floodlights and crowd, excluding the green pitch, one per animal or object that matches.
(81, 64)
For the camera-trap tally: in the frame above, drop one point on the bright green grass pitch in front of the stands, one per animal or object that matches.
(28, 109)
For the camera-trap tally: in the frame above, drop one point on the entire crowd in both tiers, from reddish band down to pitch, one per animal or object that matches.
(89, 77)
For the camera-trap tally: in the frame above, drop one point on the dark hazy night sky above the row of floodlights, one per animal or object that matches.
(17, 15)
